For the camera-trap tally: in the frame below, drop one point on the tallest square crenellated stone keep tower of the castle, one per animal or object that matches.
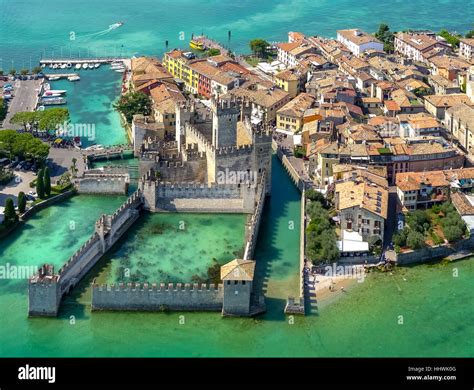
(225, 115)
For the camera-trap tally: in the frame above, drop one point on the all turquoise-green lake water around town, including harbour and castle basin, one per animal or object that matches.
(437, 308)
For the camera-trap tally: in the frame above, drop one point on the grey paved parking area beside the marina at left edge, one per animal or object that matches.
(25, 95)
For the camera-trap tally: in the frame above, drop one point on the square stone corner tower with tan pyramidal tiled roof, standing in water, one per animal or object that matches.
(237, 277)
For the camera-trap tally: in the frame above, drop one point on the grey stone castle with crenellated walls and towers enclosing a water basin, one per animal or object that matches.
(218, 163)
